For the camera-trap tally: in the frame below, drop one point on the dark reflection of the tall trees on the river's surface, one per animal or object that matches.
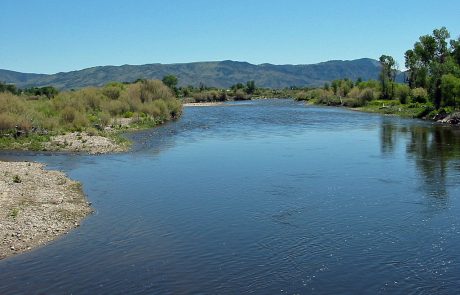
(434, 149)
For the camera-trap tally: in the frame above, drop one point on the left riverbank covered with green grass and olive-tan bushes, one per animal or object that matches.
(30, 122)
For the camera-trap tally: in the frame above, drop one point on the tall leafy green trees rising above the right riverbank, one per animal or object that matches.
(433, 65)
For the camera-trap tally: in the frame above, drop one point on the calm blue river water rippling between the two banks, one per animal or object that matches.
(264, 197)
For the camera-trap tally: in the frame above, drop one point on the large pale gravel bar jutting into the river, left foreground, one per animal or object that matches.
(36, 206)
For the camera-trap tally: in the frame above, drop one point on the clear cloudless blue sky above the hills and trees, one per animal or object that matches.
(49, 36)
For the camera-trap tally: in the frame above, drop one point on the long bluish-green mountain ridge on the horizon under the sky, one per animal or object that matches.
(217, 74)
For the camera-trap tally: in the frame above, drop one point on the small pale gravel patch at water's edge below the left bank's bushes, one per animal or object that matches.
(83, 142)
